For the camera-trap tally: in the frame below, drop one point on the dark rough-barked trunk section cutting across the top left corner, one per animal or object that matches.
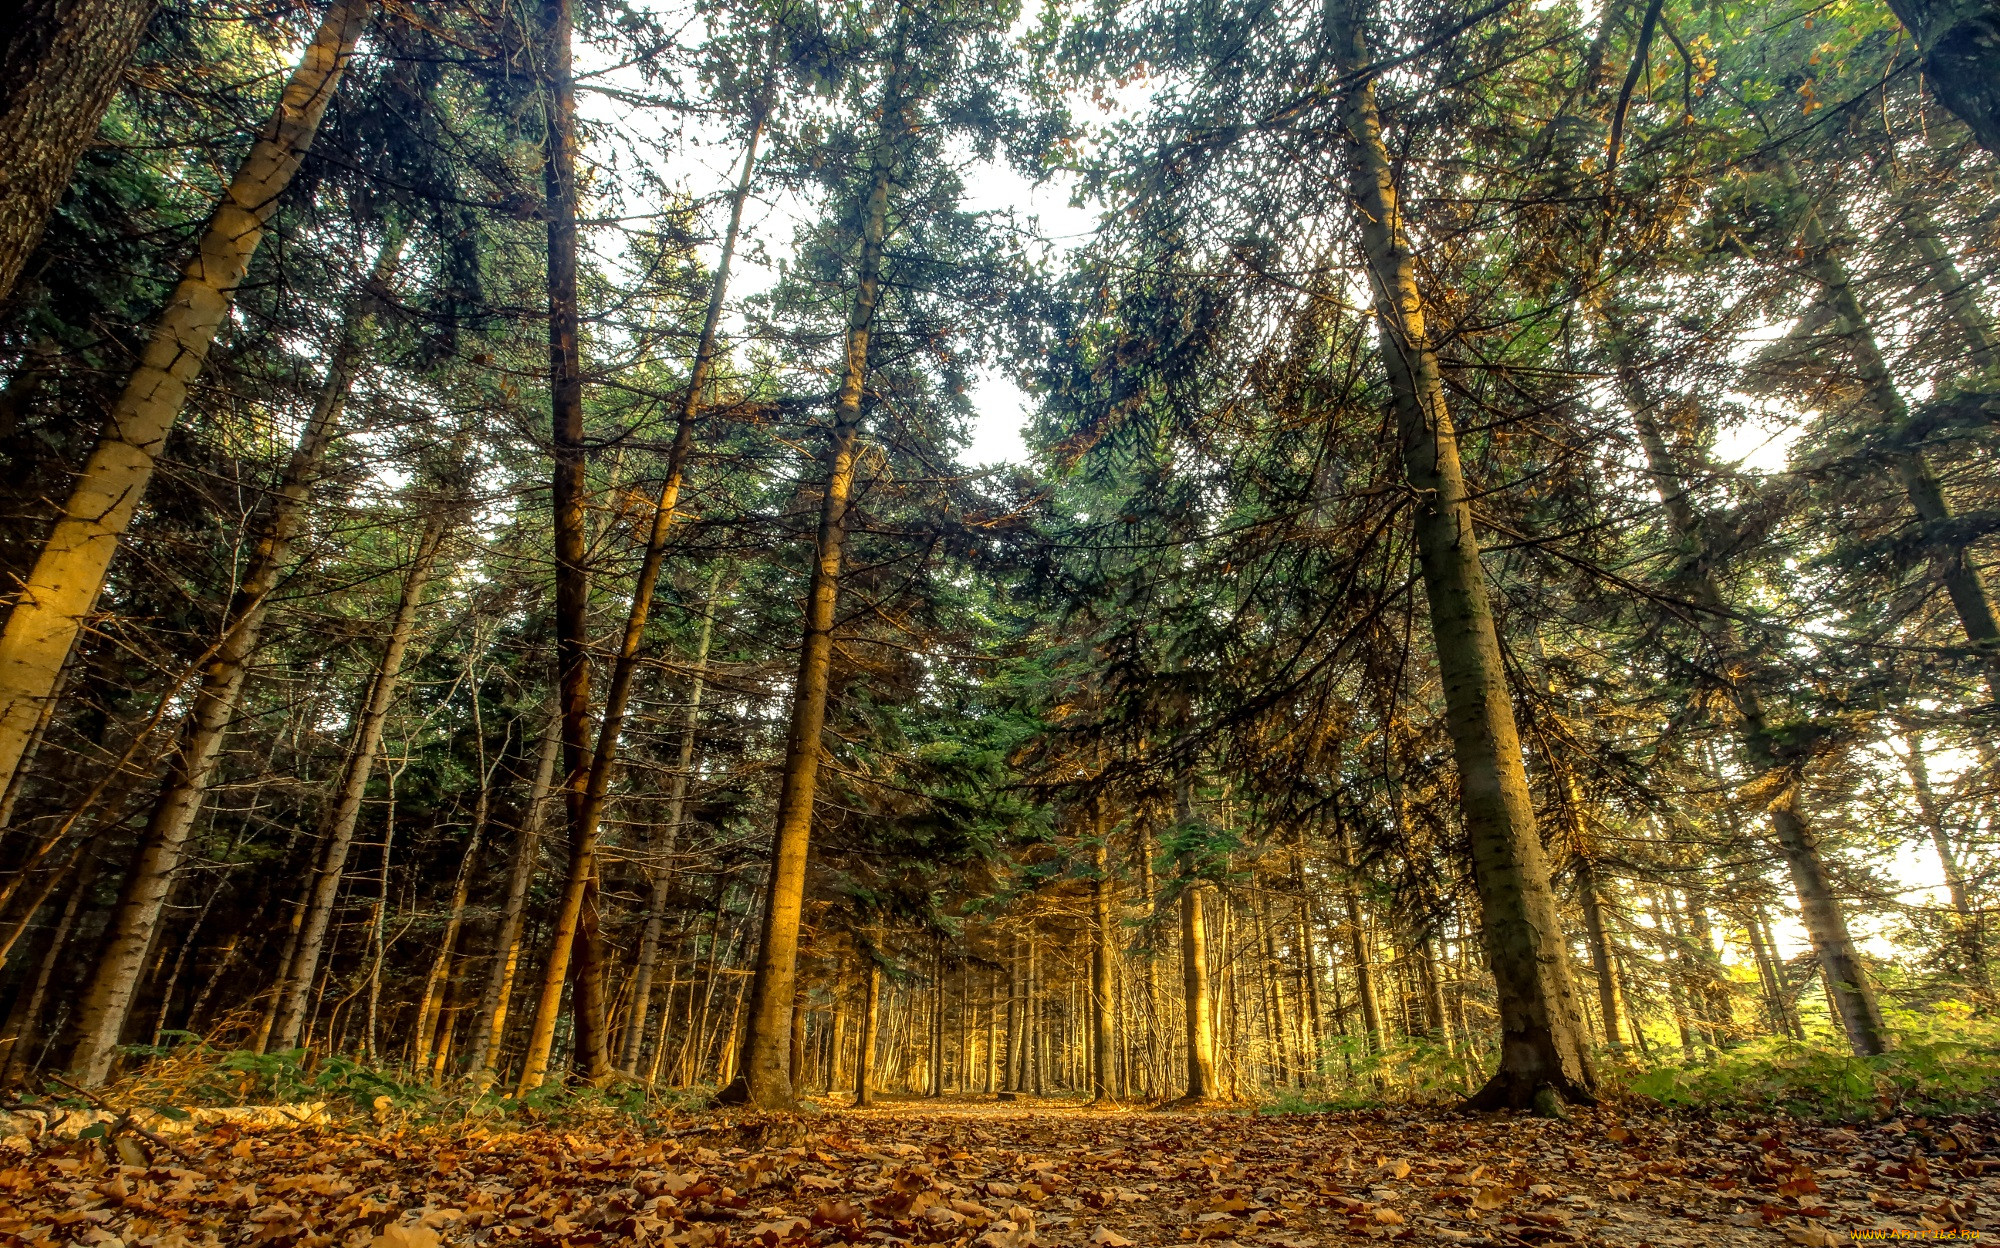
(61, 65)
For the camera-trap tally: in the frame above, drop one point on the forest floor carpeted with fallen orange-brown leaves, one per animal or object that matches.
(1015, 1175)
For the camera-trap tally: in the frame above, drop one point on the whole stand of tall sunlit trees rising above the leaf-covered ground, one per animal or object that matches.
(1491, 603)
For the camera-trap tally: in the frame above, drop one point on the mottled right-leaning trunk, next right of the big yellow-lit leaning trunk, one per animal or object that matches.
(109, 999)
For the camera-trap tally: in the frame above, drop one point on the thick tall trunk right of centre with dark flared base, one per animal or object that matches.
(1543, 1047)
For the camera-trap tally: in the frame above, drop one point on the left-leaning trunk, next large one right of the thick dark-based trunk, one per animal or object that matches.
(1819, 907)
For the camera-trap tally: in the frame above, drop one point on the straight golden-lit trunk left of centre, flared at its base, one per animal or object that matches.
(777, 961)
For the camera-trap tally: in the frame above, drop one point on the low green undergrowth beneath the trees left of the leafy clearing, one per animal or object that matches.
(189, 1075)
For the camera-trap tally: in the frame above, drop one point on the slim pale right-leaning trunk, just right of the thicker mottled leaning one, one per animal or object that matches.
(355, 783)
